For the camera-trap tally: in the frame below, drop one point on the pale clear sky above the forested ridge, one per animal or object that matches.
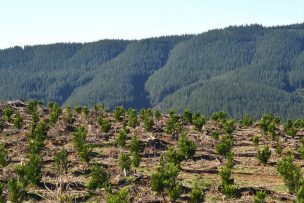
(30, 22)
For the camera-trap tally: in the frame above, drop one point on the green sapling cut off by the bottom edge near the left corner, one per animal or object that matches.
(16, 191)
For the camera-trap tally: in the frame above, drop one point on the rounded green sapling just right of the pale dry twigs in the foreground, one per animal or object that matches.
(99, 177)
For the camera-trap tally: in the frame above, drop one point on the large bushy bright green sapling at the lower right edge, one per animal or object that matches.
(291, 173)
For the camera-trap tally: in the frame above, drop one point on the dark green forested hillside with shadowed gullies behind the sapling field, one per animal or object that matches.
(244, 69)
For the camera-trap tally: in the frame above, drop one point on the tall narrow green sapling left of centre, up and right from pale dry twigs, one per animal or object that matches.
(80, 143)
